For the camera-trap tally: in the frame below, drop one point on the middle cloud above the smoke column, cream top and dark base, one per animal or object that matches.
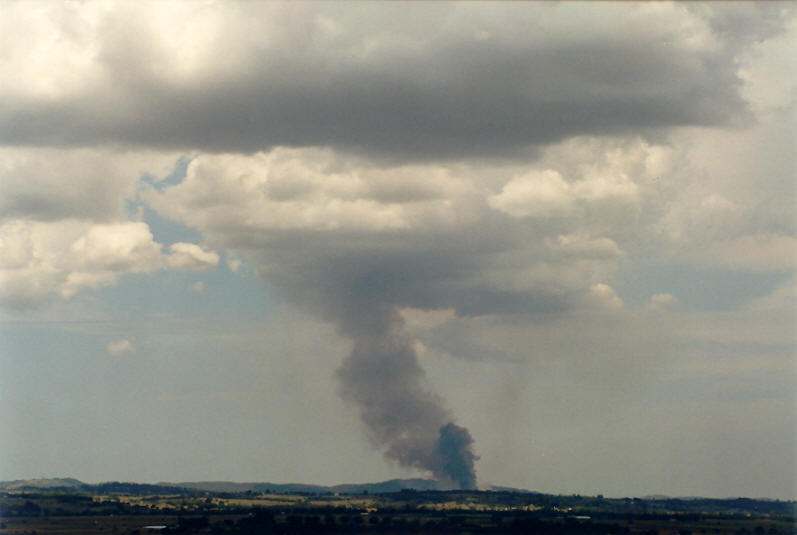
(444, 248)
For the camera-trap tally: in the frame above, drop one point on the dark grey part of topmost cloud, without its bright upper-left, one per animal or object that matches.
(402, 90)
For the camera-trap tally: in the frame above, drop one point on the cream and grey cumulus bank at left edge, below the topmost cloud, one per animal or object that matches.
(64, 226)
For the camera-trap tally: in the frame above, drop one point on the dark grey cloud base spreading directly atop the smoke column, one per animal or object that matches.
(423, 271)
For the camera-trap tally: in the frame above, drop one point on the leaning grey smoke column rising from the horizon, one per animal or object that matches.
(384, 378)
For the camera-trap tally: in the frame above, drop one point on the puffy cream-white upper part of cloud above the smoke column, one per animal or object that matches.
(306, 189)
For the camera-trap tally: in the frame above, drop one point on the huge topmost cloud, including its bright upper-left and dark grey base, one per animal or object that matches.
(464, 80)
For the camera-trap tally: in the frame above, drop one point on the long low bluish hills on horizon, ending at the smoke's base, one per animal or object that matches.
(393, 485)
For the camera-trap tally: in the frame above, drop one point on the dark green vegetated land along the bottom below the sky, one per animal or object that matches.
(133, 509)
